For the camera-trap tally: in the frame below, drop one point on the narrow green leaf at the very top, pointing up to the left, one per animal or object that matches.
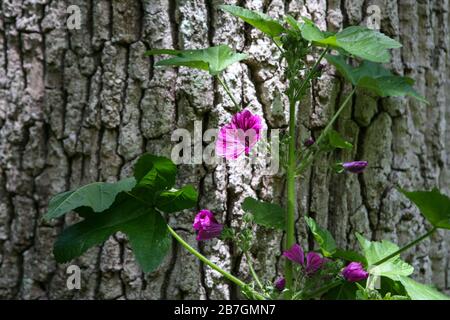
(259, 20)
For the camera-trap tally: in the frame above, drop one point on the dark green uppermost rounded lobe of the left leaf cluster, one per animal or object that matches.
(155, 173)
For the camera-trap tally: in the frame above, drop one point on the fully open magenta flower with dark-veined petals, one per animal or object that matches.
(239, 136)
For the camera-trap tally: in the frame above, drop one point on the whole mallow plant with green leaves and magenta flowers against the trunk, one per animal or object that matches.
(138, 206)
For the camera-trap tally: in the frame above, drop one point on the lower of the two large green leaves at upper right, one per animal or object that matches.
(373, 77)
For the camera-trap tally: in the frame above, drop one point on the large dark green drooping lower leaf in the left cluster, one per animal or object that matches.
(145, 228)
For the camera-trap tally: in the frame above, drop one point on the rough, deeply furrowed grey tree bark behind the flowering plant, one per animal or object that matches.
(78, 106)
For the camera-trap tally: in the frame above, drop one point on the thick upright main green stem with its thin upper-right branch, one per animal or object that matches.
(291, 171)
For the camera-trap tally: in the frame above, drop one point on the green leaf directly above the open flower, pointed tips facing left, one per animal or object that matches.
(213, 59)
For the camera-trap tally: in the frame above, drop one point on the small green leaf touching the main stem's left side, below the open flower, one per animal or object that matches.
(266, 214)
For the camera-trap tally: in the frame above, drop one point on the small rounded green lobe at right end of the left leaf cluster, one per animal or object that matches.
(177, 200)
